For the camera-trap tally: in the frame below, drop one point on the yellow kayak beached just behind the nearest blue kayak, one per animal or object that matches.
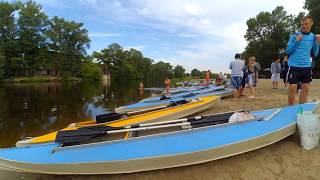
(174, 112)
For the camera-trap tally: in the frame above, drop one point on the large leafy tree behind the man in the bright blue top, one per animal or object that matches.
(270, 31)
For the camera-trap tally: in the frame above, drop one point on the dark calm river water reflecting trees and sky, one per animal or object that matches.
(39, 108)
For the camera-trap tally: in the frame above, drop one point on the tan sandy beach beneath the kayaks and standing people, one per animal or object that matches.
(282, 160)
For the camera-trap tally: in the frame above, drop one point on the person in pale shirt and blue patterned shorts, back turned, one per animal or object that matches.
(236, 67)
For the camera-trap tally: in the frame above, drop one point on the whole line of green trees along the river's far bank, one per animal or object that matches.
(32, 44)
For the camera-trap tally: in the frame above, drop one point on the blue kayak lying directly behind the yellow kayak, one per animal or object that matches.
(141, 106)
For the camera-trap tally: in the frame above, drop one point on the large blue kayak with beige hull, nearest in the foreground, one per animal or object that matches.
(202, 141)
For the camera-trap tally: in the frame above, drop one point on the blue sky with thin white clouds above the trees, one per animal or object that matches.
(201, 34)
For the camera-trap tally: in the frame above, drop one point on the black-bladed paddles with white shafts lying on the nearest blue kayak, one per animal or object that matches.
(85, 133)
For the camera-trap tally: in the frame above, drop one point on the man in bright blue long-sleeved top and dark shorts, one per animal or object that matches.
(300, 45)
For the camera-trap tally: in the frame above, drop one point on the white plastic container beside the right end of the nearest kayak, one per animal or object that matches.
(309, 129)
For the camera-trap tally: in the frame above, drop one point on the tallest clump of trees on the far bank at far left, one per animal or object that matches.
(31, 43)
